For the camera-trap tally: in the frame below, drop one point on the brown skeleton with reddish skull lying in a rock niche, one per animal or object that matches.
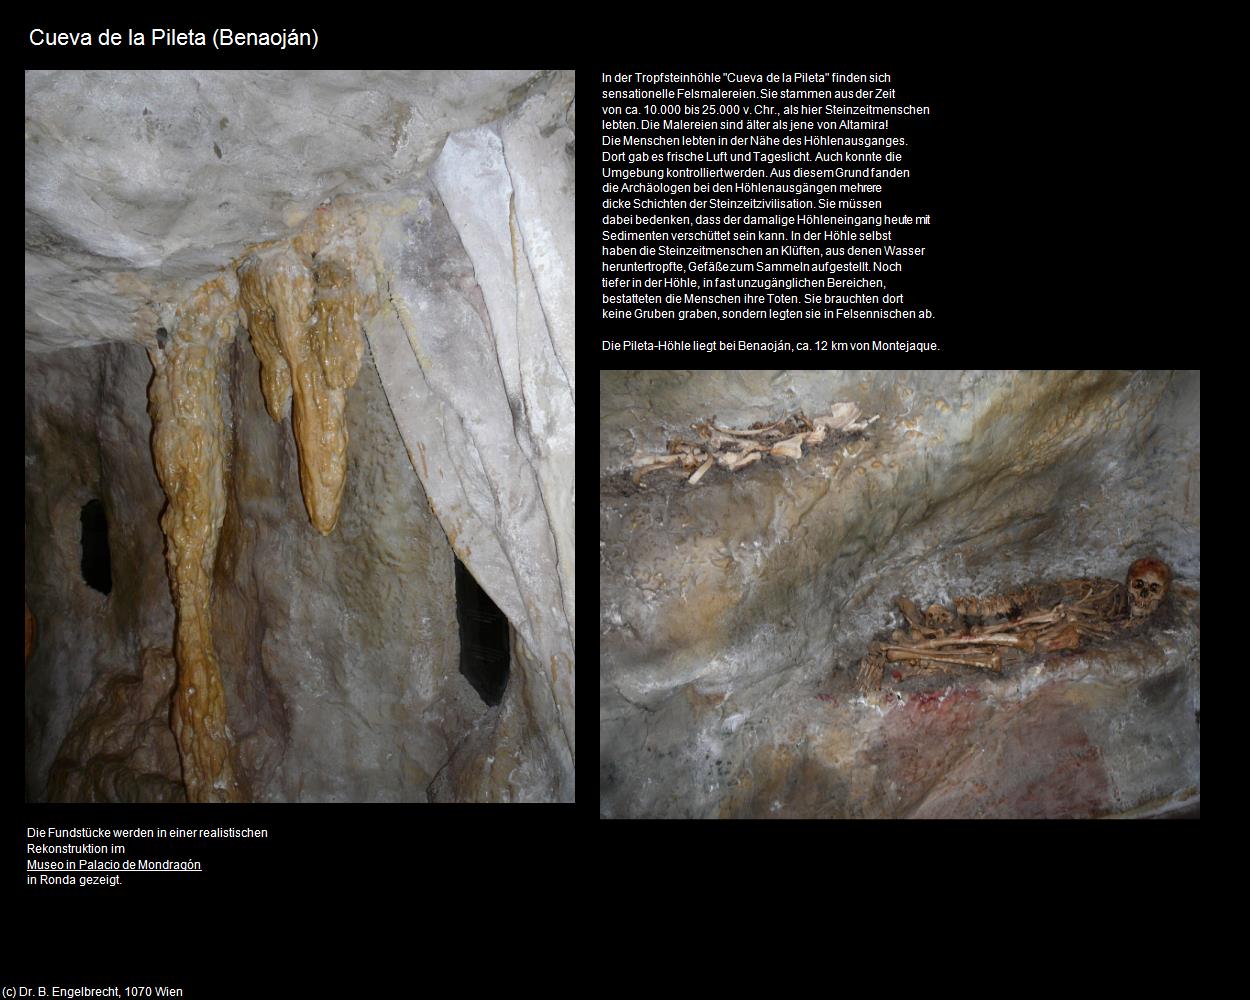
(1049, 618)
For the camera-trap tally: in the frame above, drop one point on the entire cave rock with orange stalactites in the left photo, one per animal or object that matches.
(327, 597)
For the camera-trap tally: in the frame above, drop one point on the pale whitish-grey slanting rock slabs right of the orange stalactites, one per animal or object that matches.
(474, 353)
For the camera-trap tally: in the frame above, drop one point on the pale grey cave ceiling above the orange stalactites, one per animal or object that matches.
(142, 184)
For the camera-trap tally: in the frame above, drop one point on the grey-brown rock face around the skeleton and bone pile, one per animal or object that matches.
(734, 613)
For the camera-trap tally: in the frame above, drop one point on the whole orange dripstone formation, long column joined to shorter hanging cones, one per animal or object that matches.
(304, 323)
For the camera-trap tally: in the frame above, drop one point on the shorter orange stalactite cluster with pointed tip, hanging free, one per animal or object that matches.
(306, 331)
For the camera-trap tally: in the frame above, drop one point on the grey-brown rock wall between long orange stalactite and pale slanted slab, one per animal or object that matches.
(341, 651)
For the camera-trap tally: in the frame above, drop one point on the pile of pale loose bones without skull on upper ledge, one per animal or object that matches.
(737, 449)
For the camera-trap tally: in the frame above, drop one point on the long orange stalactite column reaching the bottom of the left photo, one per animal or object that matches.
(189, 441)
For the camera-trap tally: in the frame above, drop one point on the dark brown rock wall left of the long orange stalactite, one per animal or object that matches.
(88, 437)
